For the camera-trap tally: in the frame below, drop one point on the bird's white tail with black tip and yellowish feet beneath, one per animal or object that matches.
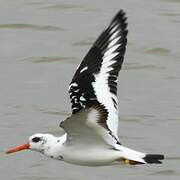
(133, 157)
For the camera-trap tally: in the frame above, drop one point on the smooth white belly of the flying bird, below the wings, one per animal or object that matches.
(91, 157)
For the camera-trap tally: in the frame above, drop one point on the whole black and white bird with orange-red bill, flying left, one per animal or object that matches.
(91, 132)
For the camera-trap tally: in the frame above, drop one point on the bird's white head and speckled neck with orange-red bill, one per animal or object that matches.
(43, 143)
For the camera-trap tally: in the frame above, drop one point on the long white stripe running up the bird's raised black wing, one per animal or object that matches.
(102, 89)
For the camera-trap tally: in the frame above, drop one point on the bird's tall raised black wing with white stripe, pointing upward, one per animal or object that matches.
(96, 77)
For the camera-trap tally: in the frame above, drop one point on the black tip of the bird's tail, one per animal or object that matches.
(154, 158)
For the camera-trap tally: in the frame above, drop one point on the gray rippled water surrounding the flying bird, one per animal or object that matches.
(41, 43)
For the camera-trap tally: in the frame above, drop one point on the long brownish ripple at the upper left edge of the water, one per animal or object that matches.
(30, 27)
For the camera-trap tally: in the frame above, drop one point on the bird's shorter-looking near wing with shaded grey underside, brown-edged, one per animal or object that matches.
(88, 127)
